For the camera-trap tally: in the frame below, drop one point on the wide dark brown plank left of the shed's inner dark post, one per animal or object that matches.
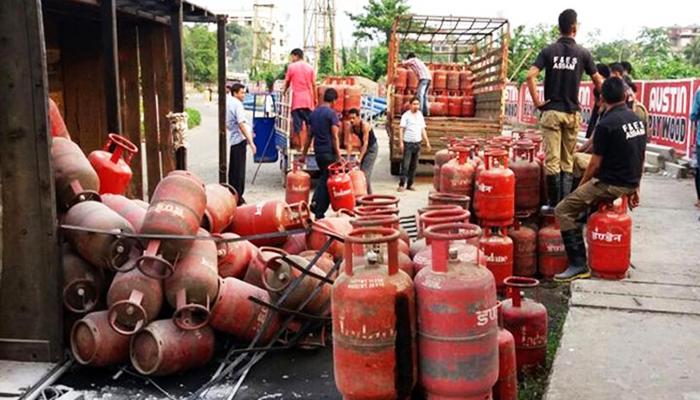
(83, 88)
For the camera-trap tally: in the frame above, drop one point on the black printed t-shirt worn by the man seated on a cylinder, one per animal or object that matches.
(621, 140)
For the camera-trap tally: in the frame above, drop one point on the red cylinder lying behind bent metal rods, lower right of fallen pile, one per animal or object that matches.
(235, 314)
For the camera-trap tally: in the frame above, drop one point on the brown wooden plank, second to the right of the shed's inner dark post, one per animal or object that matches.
(150, 106)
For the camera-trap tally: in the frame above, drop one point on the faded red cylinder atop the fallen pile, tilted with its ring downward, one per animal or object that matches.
(177, 207)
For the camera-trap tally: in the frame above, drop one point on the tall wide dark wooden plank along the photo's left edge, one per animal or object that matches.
(30, 302)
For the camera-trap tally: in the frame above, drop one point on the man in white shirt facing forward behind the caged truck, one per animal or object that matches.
(411, 133)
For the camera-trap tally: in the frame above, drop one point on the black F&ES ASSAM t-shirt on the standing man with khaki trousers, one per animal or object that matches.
(564, 63)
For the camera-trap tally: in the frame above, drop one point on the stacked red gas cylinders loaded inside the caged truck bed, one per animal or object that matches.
(451, 92)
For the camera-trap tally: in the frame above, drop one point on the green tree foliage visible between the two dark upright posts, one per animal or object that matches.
(200, 54)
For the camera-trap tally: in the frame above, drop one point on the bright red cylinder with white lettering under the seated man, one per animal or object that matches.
(609, 237)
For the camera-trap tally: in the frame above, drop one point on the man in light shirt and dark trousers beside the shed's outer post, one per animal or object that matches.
(239, 136)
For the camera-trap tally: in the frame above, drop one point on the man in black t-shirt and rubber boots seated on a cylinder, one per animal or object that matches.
(615, 171)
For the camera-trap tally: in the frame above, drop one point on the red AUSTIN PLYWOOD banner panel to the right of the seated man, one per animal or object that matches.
(669, 105)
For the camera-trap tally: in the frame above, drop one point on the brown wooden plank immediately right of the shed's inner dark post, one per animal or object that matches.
(131, 100)
